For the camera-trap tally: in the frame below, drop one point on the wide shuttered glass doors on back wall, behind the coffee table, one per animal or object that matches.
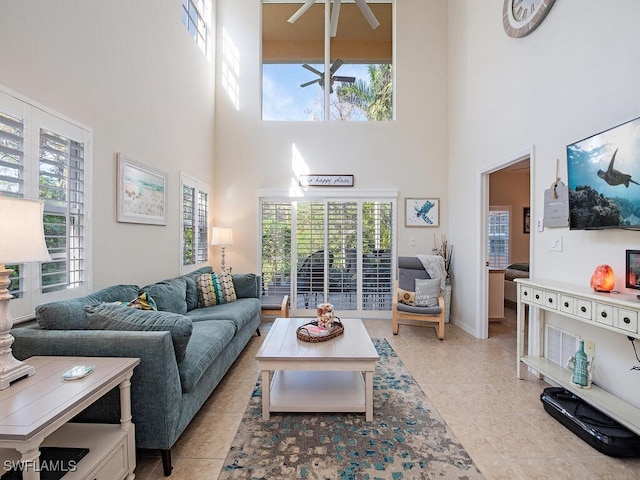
(340, 252)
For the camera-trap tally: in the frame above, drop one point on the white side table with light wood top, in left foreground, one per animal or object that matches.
(34, 412)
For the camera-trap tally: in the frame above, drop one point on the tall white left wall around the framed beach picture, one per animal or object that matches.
(130, 71)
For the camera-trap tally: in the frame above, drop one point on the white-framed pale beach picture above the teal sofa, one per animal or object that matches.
(142, 193)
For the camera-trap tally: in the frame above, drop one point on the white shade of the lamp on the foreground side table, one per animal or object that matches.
(21, 231)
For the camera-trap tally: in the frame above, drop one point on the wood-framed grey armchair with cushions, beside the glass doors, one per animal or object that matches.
(429, 306)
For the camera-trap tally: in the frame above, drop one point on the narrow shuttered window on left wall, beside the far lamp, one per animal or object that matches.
(195, 222)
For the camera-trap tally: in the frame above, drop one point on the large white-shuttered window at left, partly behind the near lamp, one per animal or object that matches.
(44, 156)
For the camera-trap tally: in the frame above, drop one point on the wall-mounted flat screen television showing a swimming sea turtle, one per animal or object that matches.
(604, 176)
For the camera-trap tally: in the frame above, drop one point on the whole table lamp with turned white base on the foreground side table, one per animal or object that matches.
(21, 241)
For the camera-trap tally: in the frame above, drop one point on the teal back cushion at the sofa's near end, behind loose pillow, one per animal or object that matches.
(70, 314)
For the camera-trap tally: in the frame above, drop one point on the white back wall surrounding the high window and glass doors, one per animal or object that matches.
(409, 154)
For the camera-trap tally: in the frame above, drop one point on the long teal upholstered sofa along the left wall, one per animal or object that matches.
(185, 348)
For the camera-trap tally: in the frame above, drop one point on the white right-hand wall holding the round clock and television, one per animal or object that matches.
(576, 75)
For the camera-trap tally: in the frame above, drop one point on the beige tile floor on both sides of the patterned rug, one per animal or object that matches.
(498, 418)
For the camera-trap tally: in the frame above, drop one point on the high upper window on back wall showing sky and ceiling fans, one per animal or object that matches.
(319, 67)
